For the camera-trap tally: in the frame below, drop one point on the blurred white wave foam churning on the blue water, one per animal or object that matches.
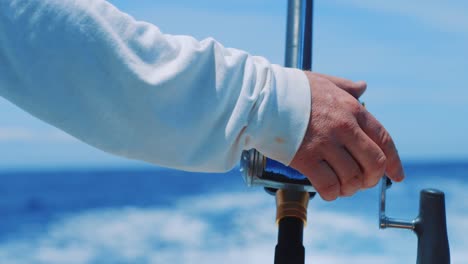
(221, 228)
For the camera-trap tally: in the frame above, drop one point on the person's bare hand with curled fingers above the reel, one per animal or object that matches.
(345, 148)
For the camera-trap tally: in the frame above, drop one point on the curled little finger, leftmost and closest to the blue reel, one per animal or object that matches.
(324, 180)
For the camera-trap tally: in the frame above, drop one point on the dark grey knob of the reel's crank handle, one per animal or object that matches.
(431, 229)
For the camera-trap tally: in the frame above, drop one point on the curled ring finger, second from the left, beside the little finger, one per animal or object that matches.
(347, 169)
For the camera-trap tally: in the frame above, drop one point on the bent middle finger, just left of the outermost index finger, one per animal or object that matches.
(367, 153)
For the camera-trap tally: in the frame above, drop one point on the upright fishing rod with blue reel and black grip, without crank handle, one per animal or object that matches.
(291, 188)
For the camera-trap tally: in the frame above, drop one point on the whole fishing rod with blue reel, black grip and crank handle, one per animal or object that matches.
(293, 190)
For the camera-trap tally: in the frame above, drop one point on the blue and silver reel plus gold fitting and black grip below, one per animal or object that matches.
(292, 191)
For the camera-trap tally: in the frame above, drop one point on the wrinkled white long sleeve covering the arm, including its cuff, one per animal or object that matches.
(126, 88)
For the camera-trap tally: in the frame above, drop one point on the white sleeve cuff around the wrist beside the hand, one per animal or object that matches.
(285, 116)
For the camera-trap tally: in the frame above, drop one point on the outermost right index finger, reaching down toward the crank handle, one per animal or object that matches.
(382, 138)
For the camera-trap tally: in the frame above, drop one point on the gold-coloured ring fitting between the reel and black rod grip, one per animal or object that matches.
(291, 203)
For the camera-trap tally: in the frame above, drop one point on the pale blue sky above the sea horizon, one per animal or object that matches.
(414, 56)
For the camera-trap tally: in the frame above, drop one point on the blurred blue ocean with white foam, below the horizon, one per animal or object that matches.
(167, 216)
